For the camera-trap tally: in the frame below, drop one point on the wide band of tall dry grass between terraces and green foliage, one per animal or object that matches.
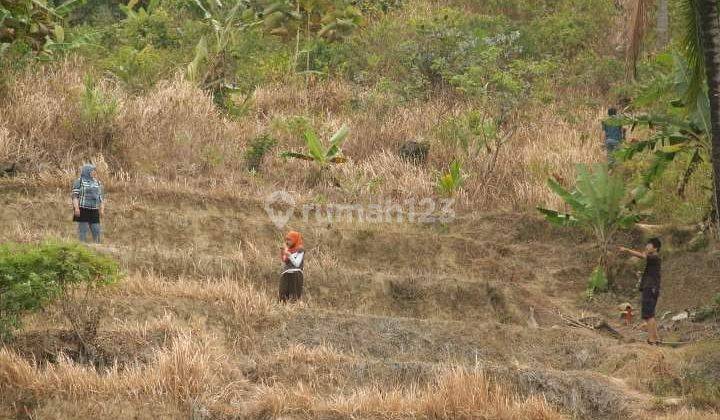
(173, 138)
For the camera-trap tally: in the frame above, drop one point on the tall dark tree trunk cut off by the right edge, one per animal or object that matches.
(709, 20)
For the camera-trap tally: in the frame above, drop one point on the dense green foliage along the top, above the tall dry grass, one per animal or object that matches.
(501, 49)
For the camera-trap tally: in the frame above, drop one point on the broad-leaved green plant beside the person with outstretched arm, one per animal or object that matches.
(598, 204)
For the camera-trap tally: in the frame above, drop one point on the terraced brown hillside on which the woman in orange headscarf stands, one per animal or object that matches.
(398, 321)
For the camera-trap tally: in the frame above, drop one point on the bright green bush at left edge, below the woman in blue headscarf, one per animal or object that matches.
(31, 276)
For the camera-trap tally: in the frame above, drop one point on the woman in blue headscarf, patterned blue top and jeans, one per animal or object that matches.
(88, 203)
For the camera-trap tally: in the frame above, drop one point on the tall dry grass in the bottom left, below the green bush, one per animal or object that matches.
(193, 370)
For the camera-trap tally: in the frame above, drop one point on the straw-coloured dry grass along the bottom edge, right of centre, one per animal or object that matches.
(457, 393)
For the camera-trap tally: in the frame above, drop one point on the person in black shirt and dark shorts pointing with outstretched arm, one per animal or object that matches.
(649, 284)
